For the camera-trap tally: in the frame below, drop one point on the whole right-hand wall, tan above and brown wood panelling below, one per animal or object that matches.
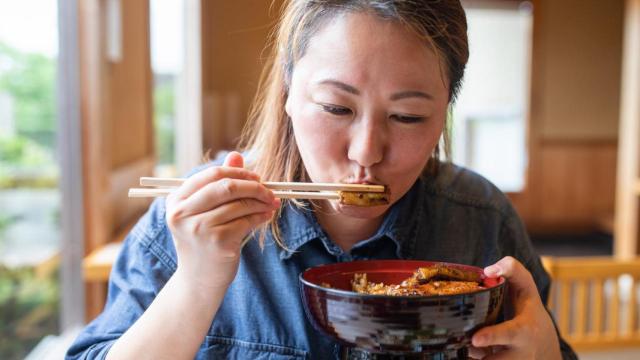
(575, 101)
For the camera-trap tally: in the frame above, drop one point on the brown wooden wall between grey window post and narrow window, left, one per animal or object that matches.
(117, 125)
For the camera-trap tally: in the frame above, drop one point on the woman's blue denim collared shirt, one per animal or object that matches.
(456, 216)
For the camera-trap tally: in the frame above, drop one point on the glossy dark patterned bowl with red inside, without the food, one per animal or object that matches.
(396, 324)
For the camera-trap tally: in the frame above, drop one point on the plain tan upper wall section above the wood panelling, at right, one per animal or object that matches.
(578, 59)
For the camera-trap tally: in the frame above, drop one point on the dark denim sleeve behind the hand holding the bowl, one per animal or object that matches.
(516, 240)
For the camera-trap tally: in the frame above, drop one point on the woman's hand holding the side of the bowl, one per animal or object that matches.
(530, 334)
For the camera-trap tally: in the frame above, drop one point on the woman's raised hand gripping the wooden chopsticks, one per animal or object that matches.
(210, 215)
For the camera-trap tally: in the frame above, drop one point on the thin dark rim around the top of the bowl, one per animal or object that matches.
(352, 294)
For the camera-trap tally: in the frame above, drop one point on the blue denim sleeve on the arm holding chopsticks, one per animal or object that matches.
(142, 268)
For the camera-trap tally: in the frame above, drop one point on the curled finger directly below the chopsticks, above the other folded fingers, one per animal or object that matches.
(224, 191)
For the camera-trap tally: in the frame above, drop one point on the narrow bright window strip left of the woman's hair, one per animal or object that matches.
(175, 62)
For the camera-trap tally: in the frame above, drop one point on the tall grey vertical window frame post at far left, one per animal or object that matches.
(69, 146)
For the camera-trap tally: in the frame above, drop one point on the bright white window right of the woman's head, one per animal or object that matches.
(489, 118)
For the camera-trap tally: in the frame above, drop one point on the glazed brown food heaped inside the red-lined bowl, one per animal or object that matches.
(433, 280)
